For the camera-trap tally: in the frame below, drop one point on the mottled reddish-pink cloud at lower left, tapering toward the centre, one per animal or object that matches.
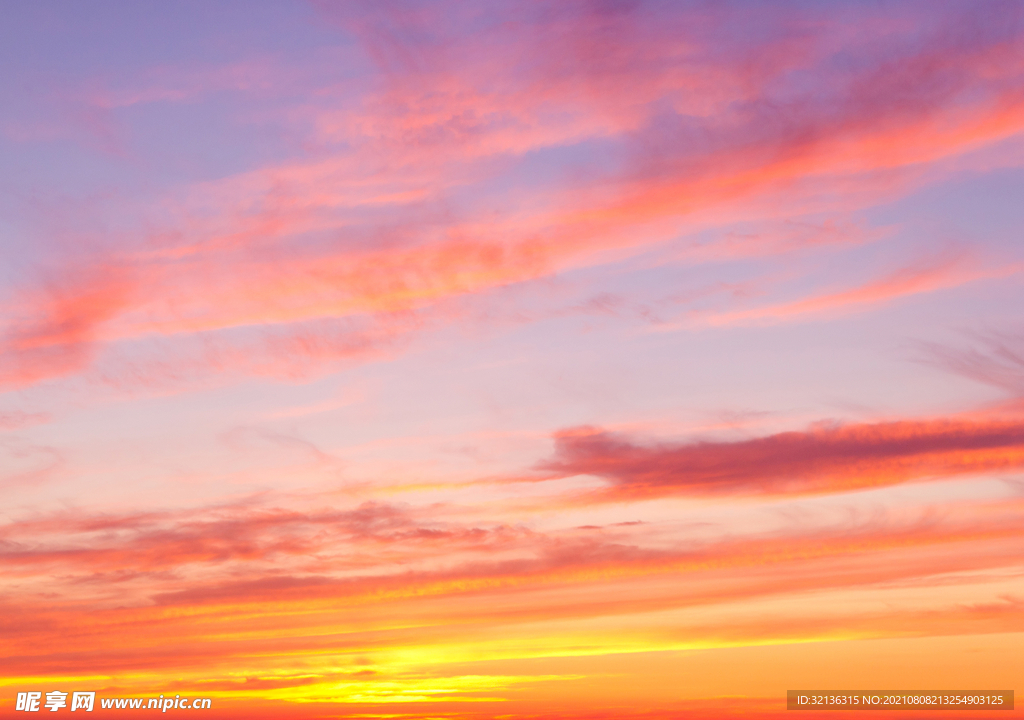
(239, 540)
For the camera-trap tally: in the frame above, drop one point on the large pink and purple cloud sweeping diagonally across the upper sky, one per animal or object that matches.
(417, 192)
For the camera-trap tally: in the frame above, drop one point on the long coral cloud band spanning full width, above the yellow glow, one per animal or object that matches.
(231, 554)
